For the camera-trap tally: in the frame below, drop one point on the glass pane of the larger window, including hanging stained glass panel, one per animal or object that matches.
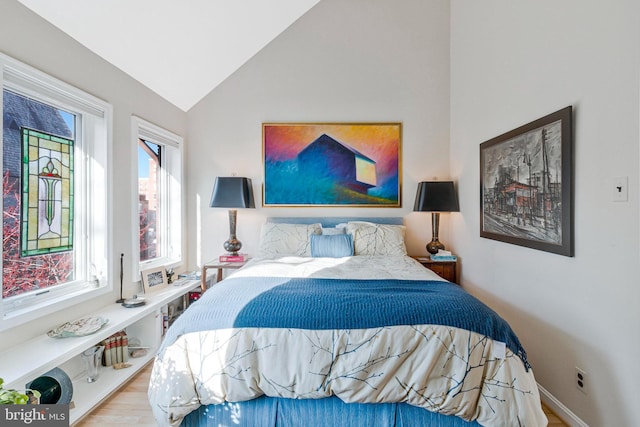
(26, 266)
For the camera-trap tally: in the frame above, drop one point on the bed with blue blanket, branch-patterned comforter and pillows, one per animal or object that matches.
(333, 324)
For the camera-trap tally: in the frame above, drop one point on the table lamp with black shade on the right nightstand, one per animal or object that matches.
(436, 197)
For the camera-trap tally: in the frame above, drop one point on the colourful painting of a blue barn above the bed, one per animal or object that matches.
(332, 164)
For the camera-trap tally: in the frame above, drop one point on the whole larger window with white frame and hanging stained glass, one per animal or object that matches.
(56, 170)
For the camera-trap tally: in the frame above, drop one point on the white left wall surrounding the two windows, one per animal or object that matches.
(30, 39)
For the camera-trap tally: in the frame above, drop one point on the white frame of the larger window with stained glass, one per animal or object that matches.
(92, 222)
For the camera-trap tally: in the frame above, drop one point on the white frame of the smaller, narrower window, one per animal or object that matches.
(171, 203)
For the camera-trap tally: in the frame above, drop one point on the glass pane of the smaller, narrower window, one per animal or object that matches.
(149, 199)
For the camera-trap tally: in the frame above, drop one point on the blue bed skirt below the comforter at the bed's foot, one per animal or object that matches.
(281, 412)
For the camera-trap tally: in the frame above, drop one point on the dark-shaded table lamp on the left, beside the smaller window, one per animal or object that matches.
(232, 192)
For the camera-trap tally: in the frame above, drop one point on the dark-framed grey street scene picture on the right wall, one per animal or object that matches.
(526, 185)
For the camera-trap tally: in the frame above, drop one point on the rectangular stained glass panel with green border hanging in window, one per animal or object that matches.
(47, 193)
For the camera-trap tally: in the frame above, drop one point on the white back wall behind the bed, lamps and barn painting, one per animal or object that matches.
(355, 61)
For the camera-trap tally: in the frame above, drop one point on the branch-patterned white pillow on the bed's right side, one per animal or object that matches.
(377, 239)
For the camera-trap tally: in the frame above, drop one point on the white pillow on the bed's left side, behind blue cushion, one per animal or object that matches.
(278, 240)
